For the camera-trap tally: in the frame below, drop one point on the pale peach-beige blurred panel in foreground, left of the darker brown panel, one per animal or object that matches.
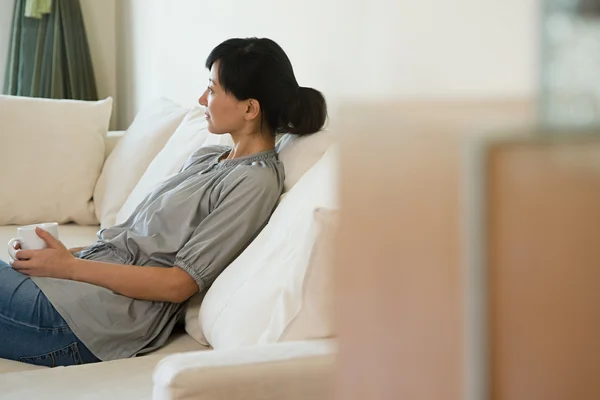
(399, 267)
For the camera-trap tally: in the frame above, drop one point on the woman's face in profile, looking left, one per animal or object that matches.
(224, 113)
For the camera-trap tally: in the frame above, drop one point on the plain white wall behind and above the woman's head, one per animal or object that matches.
(361, 49)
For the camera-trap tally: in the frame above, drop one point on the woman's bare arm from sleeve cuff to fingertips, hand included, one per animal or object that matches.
(145, 283)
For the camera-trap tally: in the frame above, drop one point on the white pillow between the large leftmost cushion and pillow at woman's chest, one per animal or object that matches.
(147, 135)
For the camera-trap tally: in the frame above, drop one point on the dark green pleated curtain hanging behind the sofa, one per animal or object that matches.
(49, 54)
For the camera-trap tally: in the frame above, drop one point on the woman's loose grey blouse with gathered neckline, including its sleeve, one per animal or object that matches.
(199, 220)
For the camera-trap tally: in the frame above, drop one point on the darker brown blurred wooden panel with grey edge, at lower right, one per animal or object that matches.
(539, 240)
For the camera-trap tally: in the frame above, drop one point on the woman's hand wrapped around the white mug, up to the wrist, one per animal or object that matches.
(53, 262)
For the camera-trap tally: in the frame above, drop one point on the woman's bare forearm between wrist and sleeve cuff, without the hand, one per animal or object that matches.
(145, 283)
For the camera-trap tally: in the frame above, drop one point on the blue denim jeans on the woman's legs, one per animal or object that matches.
(31, 330)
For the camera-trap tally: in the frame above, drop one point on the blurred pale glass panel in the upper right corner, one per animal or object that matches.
(570, 87)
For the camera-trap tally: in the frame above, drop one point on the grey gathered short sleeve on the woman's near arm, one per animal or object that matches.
(241, 212)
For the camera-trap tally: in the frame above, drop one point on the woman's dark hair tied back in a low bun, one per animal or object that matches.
(259, 69)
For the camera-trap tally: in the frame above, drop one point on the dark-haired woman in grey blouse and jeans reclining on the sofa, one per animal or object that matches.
(122, 295)
